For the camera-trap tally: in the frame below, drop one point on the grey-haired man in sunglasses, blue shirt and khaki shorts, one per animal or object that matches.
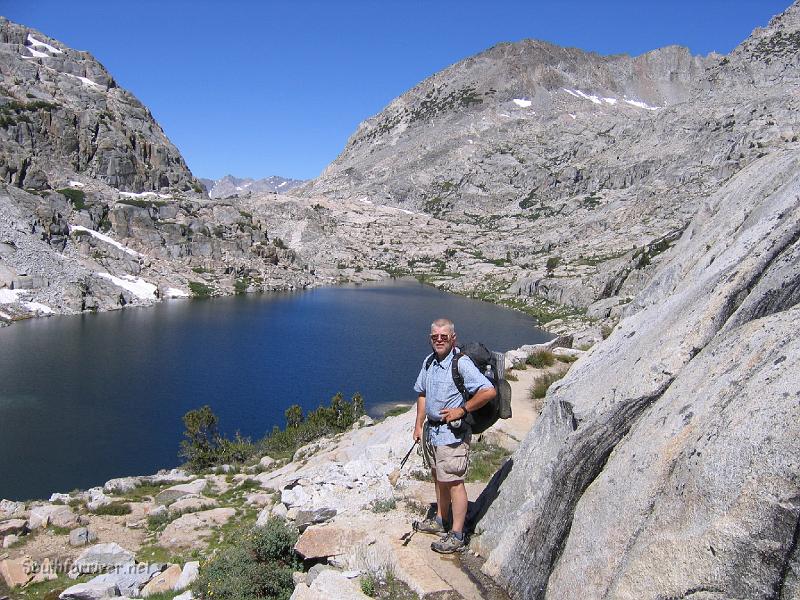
(441, 425)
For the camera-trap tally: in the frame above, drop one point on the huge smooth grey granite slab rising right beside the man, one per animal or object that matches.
(681, 476)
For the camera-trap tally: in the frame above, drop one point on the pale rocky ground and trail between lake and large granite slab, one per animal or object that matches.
(353, 522)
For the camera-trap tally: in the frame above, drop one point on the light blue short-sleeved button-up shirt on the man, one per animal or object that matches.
(440, 392)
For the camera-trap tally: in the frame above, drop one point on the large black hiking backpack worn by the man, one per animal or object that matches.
(492, 365)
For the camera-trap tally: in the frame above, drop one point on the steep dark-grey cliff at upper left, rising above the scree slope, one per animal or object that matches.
(62, 115)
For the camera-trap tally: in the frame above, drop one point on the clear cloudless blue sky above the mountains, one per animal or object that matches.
(262, 88)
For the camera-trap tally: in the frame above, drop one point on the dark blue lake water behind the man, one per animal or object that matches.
(87, 398)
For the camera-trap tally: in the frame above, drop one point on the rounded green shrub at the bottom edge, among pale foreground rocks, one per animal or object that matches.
(259, 564)
